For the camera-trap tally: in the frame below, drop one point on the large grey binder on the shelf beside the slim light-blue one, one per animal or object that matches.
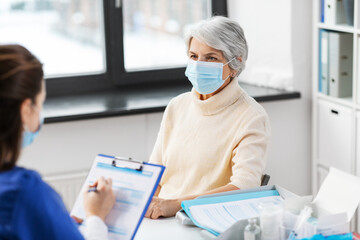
(340, 64)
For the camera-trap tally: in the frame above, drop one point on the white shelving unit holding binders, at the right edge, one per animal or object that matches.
(335, 121)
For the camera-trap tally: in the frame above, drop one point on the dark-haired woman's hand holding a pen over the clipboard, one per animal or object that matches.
(101, 201)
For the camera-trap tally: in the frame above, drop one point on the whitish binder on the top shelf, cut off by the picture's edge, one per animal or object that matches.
(334, 12)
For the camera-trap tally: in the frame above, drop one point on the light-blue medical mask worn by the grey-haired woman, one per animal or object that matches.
(206, 77)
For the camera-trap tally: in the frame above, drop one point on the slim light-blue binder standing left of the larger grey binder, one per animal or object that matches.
(324, 62)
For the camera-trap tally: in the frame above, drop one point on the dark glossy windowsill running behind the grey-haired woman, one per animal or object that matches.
(130, 100)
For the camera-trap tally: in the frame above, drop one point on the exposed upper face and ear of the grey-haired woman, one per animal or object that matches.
(199, 51)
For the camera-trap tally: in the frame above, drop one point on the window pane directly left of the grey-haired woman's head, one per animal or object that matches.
(154, 31)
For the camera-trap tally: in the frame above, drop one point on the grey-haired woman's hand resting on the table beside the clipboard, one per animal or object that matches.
(163, 208)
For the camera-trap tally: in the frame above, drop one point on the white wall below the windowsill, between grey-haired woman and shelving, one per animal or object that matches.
(289, 150)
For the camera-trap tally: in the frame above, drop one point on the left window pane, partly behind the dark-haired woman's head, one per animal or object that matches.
(66, 35)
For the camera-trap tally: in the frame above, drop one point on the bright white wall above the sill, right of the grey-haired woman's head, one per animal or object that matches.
(267, 27)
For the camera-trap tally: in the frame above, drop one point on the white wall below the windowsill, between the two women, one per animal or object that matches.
(72, 146)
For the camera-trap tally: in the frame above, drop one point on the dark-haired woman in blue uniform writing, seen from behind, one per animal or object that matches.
(30, 208)
